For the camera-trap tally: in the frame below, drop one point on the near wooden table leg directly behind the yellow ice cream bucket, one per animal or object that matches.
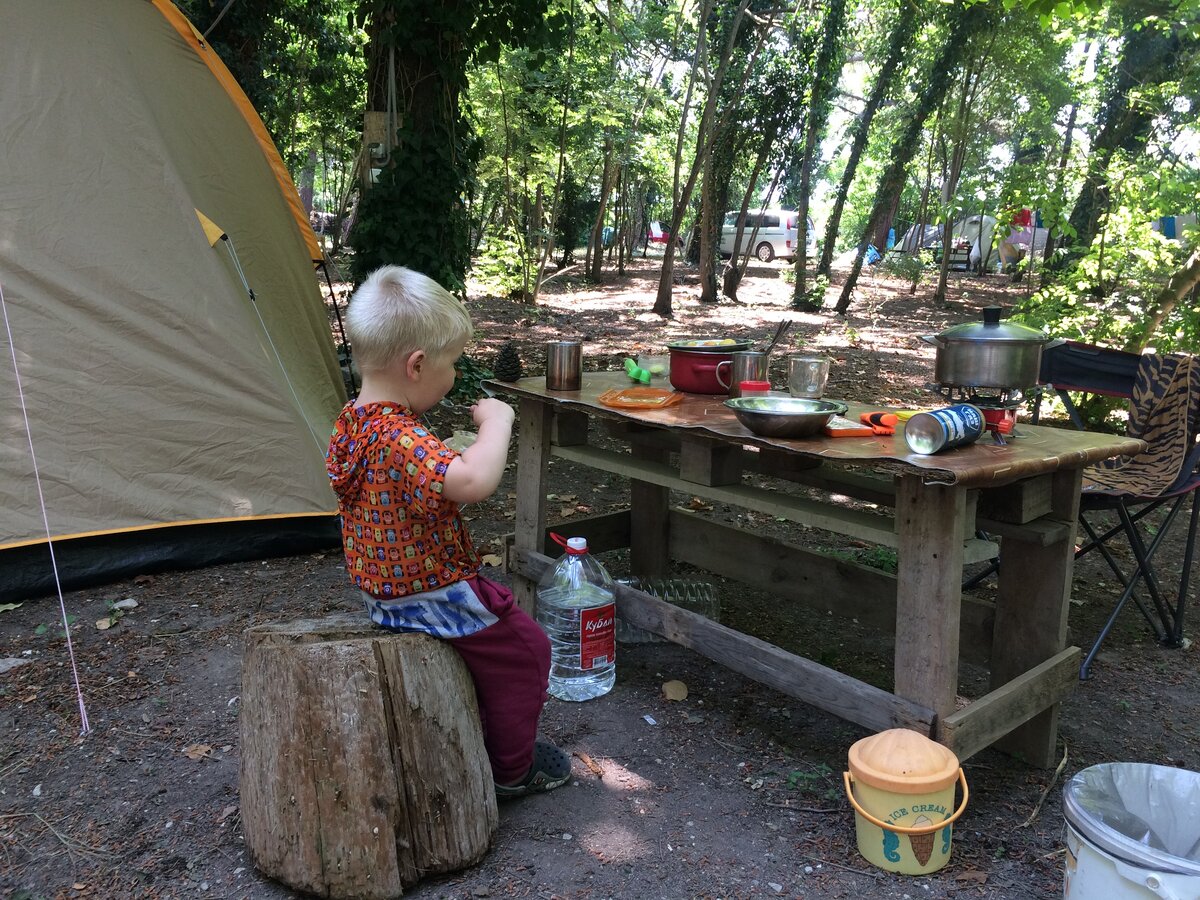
(929, 592)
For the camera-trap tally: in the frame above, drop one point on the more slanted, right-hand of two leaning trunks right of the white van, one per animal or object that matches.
(967, 22)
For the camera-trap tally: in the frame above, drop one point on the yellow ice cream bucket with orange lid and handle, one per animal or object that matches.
(902, 787)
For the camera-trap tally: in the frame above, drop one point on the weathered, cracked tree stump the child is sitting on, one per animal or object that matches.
(363, 761)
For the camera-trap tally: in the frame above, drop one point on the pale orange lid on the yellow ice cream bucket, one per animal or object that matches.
(903, 761)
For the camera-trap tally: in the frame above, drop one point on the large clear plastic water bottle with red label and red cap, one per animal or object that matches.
(578, 610)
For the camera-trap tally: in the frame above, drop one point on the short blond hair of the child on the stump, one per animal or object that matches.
(398, 311)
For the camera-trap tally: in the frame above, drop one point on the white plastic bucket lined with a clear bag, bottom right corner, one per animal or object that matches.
(1133, 833)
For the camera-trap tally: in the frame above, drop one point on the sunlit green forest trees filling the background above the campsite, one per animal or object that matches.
(512, 140)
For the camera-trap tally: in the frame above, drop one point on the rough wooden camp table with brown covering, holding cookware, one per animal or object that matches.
(928, 508)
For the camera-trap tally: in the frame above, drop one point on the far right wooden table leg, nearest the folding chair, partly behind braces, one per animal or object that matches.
(1031, 616)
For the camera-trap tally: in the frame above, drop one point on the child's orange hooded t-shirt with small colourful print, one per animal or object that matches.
(400, 536)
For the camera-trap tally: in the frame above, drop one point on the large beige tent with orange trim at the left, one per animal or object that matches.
(172, 419)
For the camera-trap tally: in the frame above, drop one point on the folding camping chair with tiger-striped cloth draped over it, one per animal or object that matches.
(1165, 411)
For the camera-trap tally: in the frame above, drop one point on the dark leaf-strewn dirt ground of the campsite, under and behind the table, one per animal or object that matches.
(734, 793)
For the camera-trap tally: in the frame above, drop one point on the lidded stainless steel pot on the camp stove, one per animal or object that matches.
(991, 353)
